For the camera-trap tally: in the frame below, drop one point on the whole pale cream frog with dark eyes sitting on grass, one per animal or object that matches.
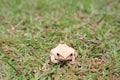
(62, 52)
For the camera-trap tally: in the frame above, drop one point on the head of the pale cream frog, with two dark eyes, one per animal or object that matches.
(63, 52)
